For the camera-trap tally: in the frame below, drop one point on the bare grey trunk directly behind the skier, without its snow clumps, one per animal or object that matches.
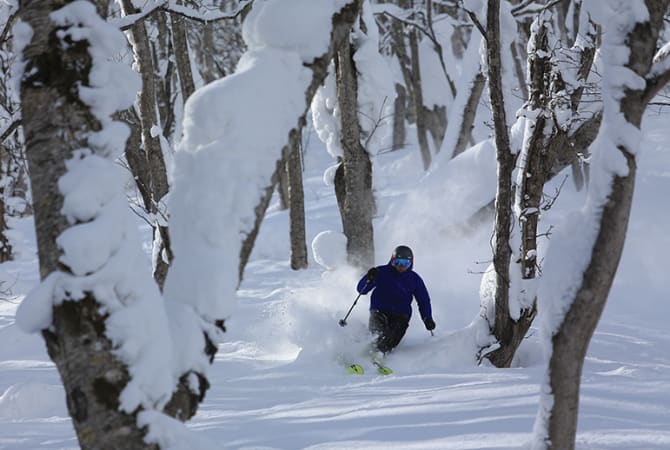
(358, 199)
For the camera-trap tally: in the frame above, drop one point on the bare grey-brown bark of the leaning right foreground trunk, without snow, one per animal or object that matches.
(570, 342)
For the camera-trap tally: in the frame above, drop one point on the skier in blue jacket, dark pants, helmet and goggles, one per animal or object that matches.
(395, 284)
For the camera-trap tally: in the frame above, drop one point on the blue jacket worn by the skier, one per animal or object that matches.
(393, 292)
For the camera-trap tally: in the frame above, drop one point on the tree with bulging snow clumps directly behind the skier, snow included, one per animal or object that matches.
(351, 115)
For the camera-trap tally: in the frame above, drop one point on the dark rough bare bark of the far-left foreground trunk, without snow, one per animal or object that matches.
(56, 123)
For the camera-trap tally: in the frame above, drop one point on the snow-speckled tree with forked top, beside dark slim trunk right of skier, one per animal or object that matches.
(547, 118)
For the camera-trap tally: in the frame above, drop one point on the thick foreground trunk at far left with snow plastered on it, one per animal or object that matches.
(99, 311)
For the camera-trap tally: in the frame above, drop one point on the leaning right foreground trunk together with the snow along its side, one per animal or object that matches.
(584, 266)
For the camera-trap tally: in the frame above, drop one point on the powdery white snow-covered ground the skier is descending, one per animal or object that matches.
(279, 381)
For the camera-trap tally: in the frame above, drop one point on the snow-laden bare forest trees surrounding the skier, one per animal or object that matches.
(192, 116)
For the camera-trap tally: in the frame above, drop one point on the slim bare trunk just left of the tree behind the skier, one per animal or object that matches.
(297, 203)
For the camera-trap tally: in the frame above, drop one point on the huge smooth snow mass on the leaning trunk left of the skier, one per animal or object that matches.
(233, 134)
